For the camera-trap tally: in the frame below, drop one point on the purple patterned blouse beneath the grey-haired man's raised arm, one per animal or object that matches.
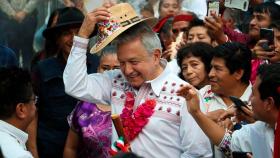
(94, 127)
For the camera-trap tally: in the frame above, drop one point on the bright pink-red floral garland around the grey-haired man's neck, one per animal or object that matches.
(133, 122)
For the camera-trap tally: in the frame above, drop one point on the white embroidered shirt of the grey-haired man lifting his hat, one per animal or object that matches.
(170, 132)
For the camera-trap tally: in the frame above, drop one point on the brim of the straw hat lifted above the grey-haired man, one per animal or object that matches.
(150, 21)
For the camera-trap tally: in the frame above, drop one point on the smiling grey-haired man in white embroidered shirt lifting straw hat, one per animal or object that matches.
(170, 130)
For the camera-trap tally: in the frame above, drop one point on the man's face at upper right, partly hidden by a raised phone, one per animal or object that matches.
(259, 20)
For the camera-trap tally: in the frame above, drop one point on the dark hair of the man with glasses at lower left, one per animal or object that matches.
(15, 87)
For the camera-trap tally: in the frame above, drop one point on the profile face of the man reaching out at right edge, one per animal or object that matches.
(256, 102)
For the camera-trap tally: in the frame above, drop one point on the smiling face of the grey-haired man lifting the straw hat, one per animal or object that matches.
(136, 64)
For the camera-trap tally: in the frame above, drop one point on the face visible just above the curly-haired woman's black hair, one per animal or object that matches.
(198, 34)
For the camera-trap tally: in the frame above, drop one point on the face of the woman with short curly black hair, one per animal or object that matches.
(194, 71)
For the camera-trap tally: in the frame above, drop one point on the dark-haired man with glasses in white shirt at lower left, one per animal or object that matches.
(17, 110)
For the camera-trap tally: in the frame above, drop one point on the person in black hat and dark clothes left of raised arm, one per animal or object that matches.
(53, 103)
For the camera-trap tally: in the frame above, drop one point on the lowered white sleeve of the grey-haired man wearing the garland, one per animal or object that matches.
(194, 142)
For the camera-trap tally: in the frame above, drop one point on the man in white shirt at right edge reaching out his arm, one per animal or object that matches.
(257, 138)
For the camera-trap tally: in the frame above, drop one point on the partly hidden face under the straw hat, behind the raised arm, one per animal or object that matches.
(108, 62)
